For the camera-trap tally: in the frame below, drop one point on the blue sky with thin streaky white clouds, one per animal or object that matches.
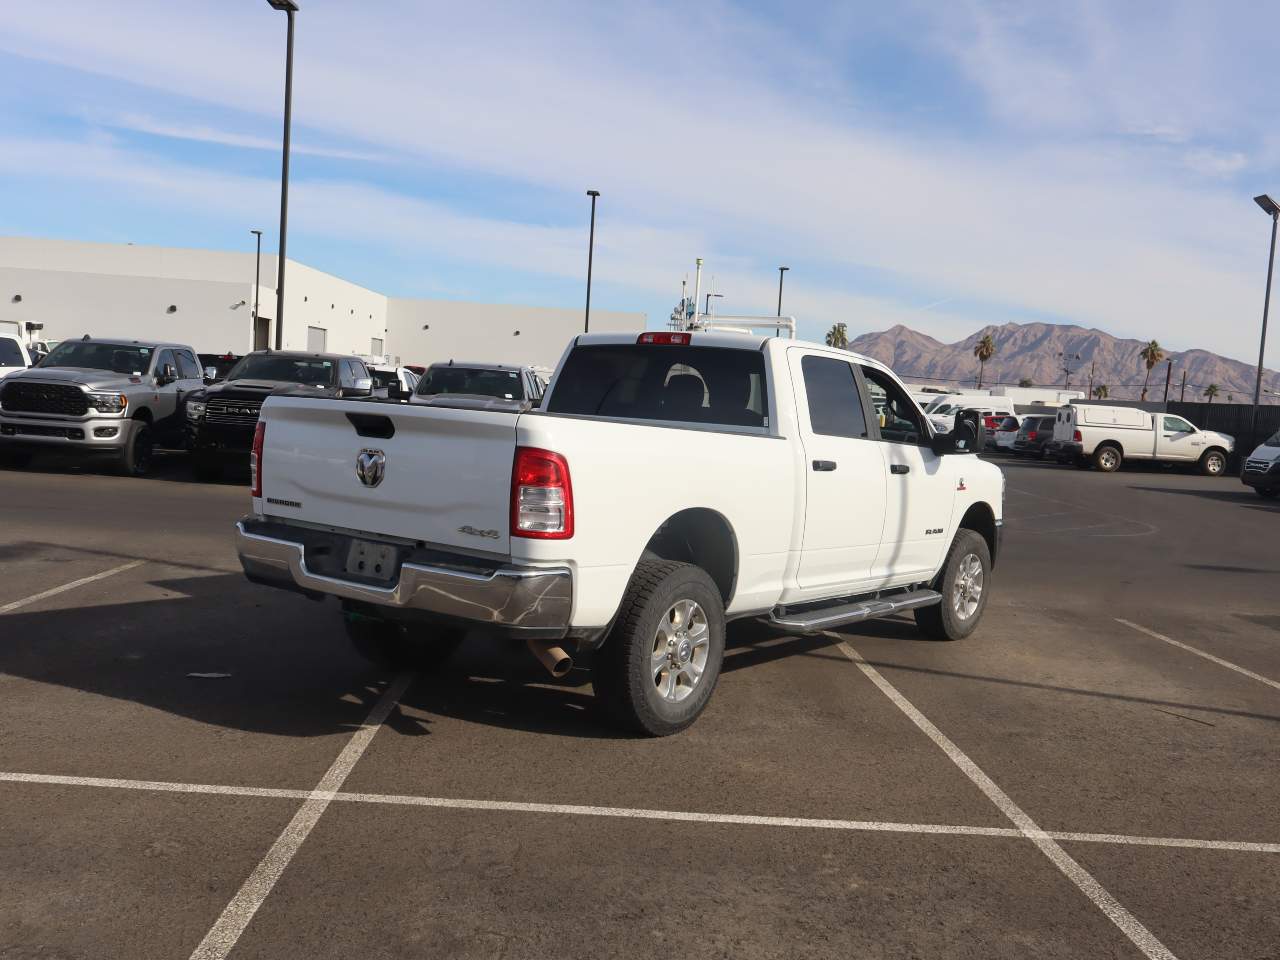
(941, 166)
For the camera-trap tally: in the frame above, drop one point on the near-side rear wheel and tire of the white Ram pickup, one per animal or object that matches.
(623, 673)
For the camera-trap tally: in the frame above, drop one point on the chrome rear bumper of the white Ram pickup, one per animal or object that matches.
(537, 598)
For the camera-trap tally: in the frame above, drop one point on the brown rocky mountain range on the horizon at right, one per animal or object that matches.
(1036, 353)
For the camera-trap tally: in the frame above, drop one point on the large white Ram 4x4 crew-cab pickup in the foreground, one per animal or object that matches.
(668, 483)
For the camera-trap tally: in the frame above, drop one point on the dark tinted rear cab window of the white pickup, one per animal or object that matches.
(673, 383)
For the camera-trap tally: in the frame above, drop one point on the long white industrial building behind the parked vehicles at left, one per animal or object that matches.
(207, 299)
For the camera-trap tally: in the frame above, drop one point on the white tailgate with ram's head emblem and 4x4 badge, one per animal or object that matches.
(446, 478)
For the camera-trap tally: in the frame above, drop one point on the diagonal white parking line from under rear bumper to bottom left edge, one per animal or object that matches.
(230, 927)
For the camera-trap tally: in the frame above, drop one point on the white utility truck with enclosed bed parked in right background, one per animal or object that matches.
(1105, 437)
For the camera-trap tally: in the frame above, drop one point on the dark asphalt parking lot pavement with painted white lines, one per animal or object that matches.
(1092, 775)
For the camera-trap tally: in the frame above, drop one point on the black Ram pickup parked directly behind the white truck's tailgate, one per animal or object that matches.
(222, 418)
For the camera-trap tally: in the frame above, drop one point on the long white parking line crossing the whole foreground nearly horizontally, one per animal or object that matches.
(638, 813)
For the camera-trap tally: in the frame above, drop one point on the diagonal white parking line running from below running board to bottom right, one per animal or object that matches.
(1130, 925)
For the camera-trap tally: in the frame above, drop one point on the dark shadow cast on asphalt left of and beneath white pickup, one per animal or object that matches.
(291, 669)
